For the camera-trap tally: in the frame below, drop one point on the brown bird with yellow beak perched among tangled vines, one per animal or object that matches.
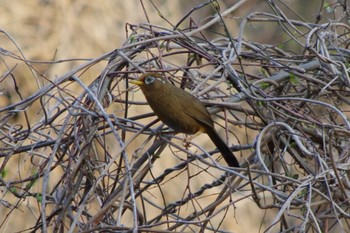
(181, 111)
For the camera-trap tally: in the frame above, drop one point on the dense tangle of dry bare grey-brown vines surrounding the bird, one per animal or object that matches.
(92, 156)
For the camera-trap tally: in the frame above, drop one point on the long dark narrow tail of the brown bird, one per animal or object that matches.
(225, 151)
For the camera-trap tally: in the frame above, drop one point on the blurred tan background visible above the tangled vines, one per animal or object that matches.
(47, 30)
